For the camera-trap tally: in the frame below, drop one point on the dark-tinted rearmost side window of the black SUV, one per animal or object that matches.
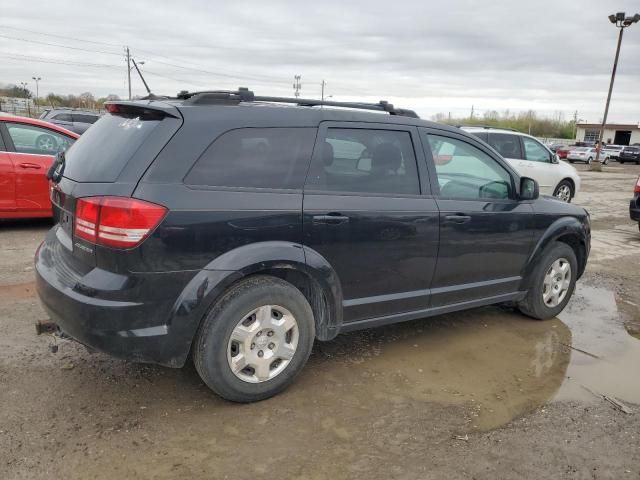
(255, 158)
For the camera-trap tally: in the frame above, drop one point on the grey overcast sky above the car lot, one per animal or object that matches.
(552, 56)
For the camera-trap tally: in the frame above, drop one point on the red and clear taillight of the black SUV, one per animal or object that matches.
(119, 222)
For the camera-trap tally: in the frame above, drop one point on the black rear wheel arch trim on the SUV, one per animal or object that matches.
(304, 268)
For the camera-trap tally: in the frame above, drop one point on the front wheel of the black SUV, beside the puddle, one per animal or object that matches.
(552, 283)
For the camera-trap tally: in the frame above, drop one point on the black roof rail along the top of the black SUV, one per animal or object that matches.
(245, 95)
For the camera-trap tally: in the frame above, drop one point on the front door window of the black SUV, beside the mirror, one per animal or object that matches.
(466, 172)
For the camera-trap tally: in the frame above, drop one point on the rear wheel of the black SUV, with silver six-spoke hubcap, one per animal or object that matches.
(255, 340)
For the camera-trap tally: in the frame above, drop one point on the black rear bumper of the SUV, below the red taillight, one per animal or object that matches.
(131, 316)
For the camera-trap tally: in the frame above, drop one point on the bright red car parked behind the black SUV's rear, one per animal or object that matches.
(27, 150)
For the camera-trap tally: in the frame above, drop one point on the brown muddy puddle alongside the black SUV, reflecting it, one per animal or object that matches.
(495, 364)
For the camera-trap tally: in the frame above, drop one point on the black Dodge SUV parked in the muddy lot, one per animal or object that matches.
(237, 229)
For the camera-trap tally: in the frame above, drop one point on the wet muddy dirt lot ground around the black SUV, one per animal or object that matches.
(481, 394)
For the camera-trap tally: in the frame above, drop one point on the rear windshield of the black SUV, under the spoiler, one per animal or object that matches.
(104, 150)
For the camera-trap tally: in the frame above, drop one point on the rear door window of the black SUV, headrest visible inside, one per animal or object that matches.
(366, 161)
